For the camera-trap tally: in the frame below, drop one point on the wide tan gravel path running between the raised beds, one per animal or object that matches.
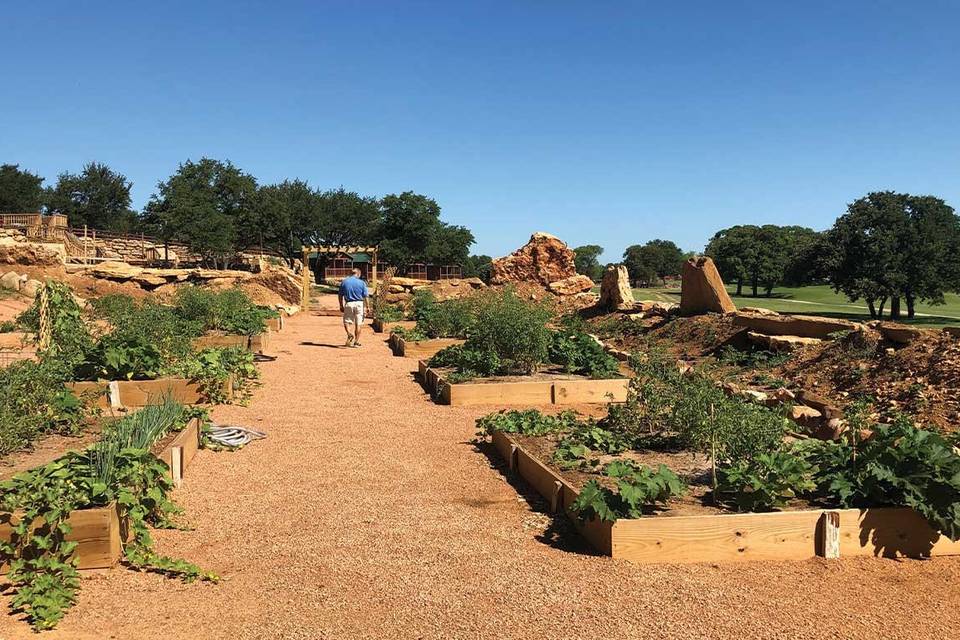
(367, 513)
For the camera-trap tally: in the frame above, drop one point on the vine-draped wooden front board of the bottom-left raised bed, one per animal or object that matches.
(96, 531)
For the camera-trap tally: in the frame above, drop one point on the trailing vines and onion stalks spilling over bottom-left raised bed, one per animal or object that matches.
(43, 574)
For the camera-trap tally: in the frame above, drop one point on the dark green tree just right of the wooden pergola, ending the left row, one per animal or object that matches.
(411, 232)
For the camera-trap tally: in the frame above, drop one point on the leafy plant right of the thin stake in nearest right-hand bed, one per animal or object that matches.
(766, 481)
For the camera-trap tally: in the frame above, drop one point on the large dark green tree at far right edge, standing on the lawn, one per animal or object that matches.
(895, 246)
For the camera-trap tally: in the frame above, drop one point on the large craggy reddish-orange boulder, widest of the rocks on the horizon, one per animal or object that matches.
(544, 259)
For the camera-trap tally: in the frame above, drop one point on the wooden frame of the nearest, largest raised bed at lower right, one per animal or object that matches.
(782, 535)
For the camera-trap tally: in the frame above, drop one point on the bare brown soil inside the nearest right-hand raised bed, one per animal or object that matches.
(692, 468)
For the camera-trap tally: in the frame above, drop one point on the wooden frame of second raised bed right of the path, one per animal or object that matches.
(559, 391)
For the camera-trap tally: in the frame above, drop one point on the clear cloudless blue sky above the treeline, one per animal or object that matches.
(608, 123)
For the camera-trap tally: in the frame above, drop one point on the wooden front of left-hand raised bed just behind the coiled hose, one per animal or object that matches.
(140, 393)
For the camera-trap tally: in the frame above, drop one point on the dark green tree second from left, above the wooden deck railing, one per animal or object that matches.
(97, 197)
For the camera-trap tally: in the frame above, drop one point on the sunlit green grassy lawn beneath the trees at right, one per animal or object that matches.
(821, 300)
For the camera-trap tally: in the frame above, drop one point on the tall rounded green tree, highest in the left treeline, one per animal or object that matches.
(210, 205)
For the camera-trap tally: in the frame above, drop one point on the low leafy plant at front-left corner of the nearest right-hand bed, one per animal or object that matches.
(638, 490)
